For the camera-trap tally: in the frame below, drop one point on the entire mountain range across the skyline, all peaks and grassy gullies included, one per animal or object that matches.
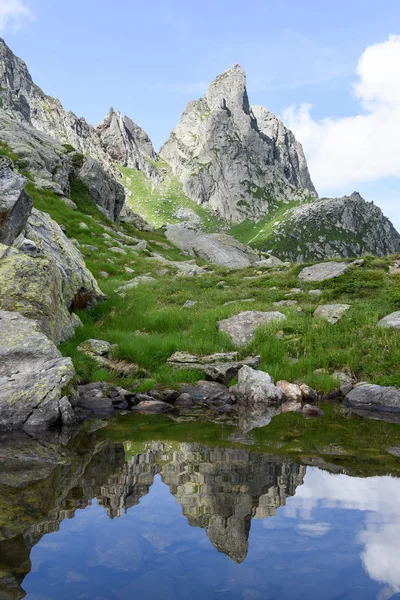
(225, 165)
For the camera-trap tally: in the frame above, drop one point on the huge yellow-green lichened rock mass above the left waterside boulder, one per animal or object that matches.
(43, 276)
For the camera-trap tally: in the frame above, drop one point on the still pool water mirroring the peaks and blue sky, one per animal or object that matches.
(111, 520)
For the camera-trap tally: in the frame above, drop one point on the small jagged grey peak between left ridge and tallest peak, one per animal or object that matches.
(126, 143)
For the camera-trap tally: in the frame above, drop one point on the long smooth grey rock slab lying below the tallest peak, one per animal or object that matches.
(217, 248)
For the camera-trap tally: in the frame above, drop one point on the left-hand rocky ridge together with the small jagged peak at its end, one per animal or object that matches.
(56, 145)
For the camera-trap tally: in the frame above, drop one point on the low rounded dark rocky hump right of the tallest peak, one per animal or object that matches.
(333, 227)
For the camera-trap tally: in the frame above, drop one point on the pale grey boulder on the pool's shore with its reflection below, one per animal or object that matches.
(259, 400)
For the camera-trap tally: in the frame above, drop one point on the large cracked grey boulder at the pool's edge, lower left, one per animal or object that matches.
(32, 376)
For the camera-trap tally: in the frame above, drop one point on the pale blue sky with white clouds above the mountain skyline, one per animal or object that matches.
(329, 70)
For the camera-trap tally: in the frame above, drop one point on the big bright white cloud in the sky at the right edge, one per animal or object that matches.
(361, 148)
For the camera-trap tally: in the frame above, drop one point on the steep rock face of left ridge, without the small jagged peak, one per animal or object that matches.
(53, 141)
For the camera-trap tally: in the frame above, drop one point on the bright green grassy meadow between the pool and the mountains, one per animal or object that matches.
(149, 324)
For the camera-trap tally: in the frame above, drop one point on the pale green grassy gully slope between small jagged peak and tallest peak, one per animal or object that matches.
(159, 204)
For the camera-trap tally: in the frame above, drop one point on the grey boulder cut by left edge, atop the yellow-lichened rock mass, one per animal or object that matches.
(15, 204)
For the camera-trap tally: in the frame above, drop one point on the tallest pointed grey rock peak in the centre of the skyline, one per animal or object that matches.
(234, 158)
